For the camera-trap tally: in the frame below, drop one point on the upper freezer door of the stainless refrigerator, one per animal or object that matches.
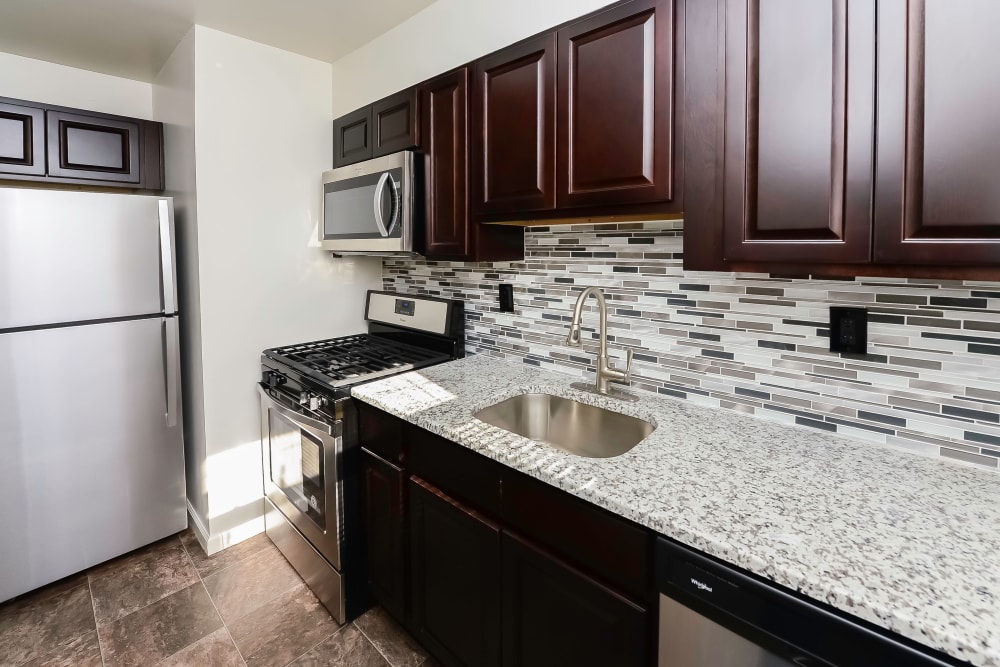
(80, 256)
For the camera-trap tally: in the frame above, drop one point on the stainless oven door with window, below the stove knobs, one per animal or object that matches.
(302, 472)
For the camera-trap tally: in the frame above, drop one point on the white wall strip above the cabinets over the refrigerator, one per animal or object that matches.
(40, 81)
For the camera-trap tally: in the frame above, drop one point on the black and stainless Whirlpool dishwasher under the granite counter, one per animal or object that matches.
(712, 615)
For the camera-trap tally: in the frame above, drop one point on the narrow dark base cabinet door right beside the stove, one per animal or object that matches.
(385, 532)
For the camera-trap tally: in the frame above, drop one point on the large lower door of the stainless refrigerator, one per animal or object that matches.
(90, 467)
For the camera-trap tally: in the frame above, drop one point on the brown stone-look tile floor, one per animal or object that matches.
(169, 604)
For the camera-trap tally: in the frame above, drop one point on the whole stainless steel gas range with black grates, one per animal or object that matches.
(309, 435)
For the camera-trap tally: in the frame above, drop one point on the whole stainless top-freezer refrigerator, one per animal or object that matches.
(91, 445)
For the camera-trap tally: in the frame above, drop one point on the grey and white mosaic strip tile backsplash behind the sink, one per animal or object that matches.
(748, 342)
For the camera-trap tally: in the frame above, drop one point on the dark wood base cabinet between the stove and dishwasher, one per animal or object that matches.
(487, 566)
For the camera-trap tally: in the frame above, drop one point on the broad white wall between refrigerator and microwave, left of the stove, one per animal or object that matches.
(263, 137)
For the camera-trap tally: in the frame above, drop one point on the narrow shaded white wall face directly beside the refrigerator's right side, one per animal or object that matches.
(173, 105)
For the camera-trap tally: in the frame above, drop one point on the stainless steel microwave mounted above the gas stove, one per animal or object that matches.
(370, 208)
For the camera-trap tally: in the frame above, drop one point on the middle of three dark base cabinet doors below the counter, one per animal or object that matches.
(455, 559)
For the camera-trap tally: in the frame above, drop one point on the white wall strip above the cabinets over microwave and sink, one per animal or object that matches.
(447, 34)
